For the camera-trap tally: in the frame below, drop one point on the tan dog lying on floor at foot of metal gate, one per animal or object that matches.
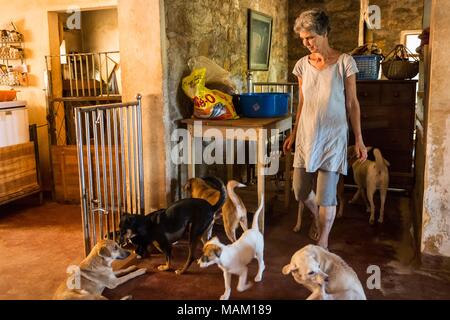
(96, 274)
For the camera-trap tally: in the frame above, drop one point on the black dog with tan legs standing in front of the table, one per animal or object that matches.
(166, 226)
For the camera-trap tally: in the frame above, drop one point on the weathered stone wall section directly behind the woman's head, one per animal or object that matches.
(344, 16)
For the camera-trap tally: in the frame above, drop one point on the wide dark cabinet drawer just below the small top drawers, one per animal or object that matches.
(399, 117)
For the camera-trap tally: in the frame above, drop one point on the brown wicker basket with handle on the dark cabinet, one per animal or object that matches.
(397, 65)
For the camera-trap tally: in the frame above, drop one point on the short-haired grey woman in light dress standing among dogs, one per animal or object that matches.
(327, 94)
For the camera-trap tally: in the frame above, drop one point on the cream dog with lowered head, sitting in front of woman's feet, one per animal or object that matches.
(325, 274)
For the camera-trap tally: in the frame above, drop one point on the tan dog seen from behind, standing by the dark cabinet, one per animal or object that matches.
(370, 176)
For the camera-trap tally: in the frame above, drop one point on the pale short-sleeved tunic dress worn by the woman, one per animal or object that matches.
(322, 134)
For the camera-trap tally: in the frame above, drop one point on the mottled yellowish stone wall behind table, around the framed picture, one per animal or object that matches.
(218, 30)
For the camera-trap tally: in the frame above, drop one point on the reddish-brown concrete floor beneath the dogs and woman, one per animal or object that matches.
(37, 243)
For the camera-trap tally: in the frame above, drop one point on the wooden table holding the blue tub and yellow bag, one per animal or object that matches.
(260, 130)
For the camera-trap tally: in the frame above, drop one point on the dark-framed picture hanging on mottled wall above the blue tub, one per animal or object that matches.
(259, 40)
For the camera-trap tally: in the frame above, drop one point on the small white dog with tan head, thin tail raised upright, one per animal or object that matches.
(234, 258)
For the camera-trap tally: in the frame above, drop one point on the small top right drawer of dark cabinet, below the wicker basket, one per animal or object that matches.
(394, 94)
